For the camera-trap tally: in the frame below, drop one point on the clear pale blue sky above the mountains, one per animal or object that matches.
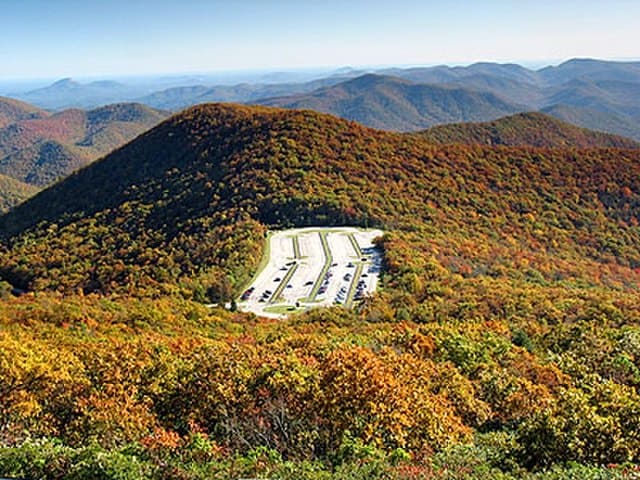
(56, 38)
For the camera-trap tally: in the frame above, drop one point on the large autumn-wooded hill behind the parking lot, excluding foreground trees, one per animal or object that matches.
(187, 204)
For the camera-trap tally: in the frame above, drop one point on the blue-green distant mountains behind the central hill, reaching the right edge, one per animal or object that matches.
(594, 94)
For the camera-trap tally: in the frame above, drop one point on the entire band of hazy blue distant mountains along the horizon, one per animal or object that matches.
(595, 94)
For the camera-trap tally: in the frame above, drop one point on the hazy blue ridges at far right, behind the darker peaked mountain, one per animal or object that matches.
(609, 90)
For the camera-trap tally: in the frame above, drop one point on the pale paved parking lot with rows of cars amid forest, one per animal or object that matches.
(314, 267)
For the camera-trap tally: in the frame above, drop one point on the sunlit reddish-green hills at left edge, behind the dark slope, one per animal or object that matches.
(41, 150)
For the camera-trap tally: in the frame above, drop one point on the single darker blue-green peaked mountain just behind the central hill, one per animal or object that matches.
(390, 103)
